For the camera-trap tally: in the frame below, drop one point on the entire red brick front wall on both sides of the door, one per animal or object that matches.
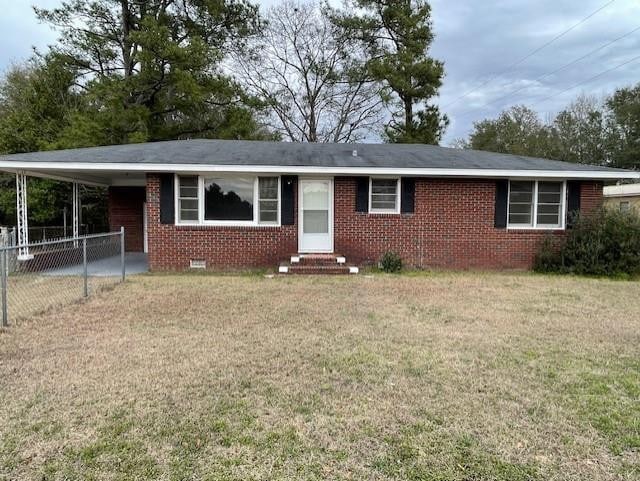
(452, 227)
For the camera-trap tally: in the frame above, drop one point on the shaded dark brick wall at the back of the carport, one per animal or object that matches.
(126, 210)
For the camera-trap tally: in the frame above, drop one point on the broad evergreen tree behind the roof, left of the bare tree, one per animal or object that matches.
(152, 69)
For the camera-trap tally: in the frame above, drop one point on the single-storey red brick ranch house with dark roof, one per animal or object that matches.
(224, 204)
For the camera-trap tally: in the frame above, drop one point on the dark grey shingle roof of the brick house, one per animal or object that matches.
(241, 152)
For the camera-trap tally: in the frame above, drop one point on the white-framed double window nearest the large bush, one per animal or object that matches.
(536, 204)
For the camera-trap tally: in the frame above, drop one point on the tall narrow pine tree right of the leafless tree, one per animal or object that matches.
(397, 35)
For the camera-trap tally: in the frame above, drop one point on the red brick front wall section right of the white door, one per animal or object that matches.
(452, 227)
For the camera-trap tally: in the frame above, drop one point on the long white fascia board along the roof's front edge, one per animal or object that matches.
(310, 170)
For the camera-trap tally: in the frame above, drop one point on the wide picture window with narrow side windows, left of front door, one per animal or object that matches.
(228, 200)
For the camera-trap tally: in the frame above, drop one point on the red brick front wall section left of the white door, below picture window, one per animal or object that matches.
(171, 247)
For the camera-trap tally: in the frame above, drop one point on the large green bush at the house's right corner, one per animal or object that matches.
(603, 244)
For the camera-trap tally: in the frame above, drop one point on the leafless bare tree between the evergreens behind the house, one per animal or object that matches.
(309, 78)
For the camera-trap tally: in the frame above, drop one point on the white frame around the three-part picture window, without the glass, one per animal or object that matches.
(226, 223)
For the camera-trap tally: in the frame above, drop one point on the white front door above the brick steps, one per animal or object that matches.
(315, 201)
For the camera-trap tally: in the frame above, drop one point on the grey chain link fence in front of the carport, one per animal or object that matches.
(51, 274)
